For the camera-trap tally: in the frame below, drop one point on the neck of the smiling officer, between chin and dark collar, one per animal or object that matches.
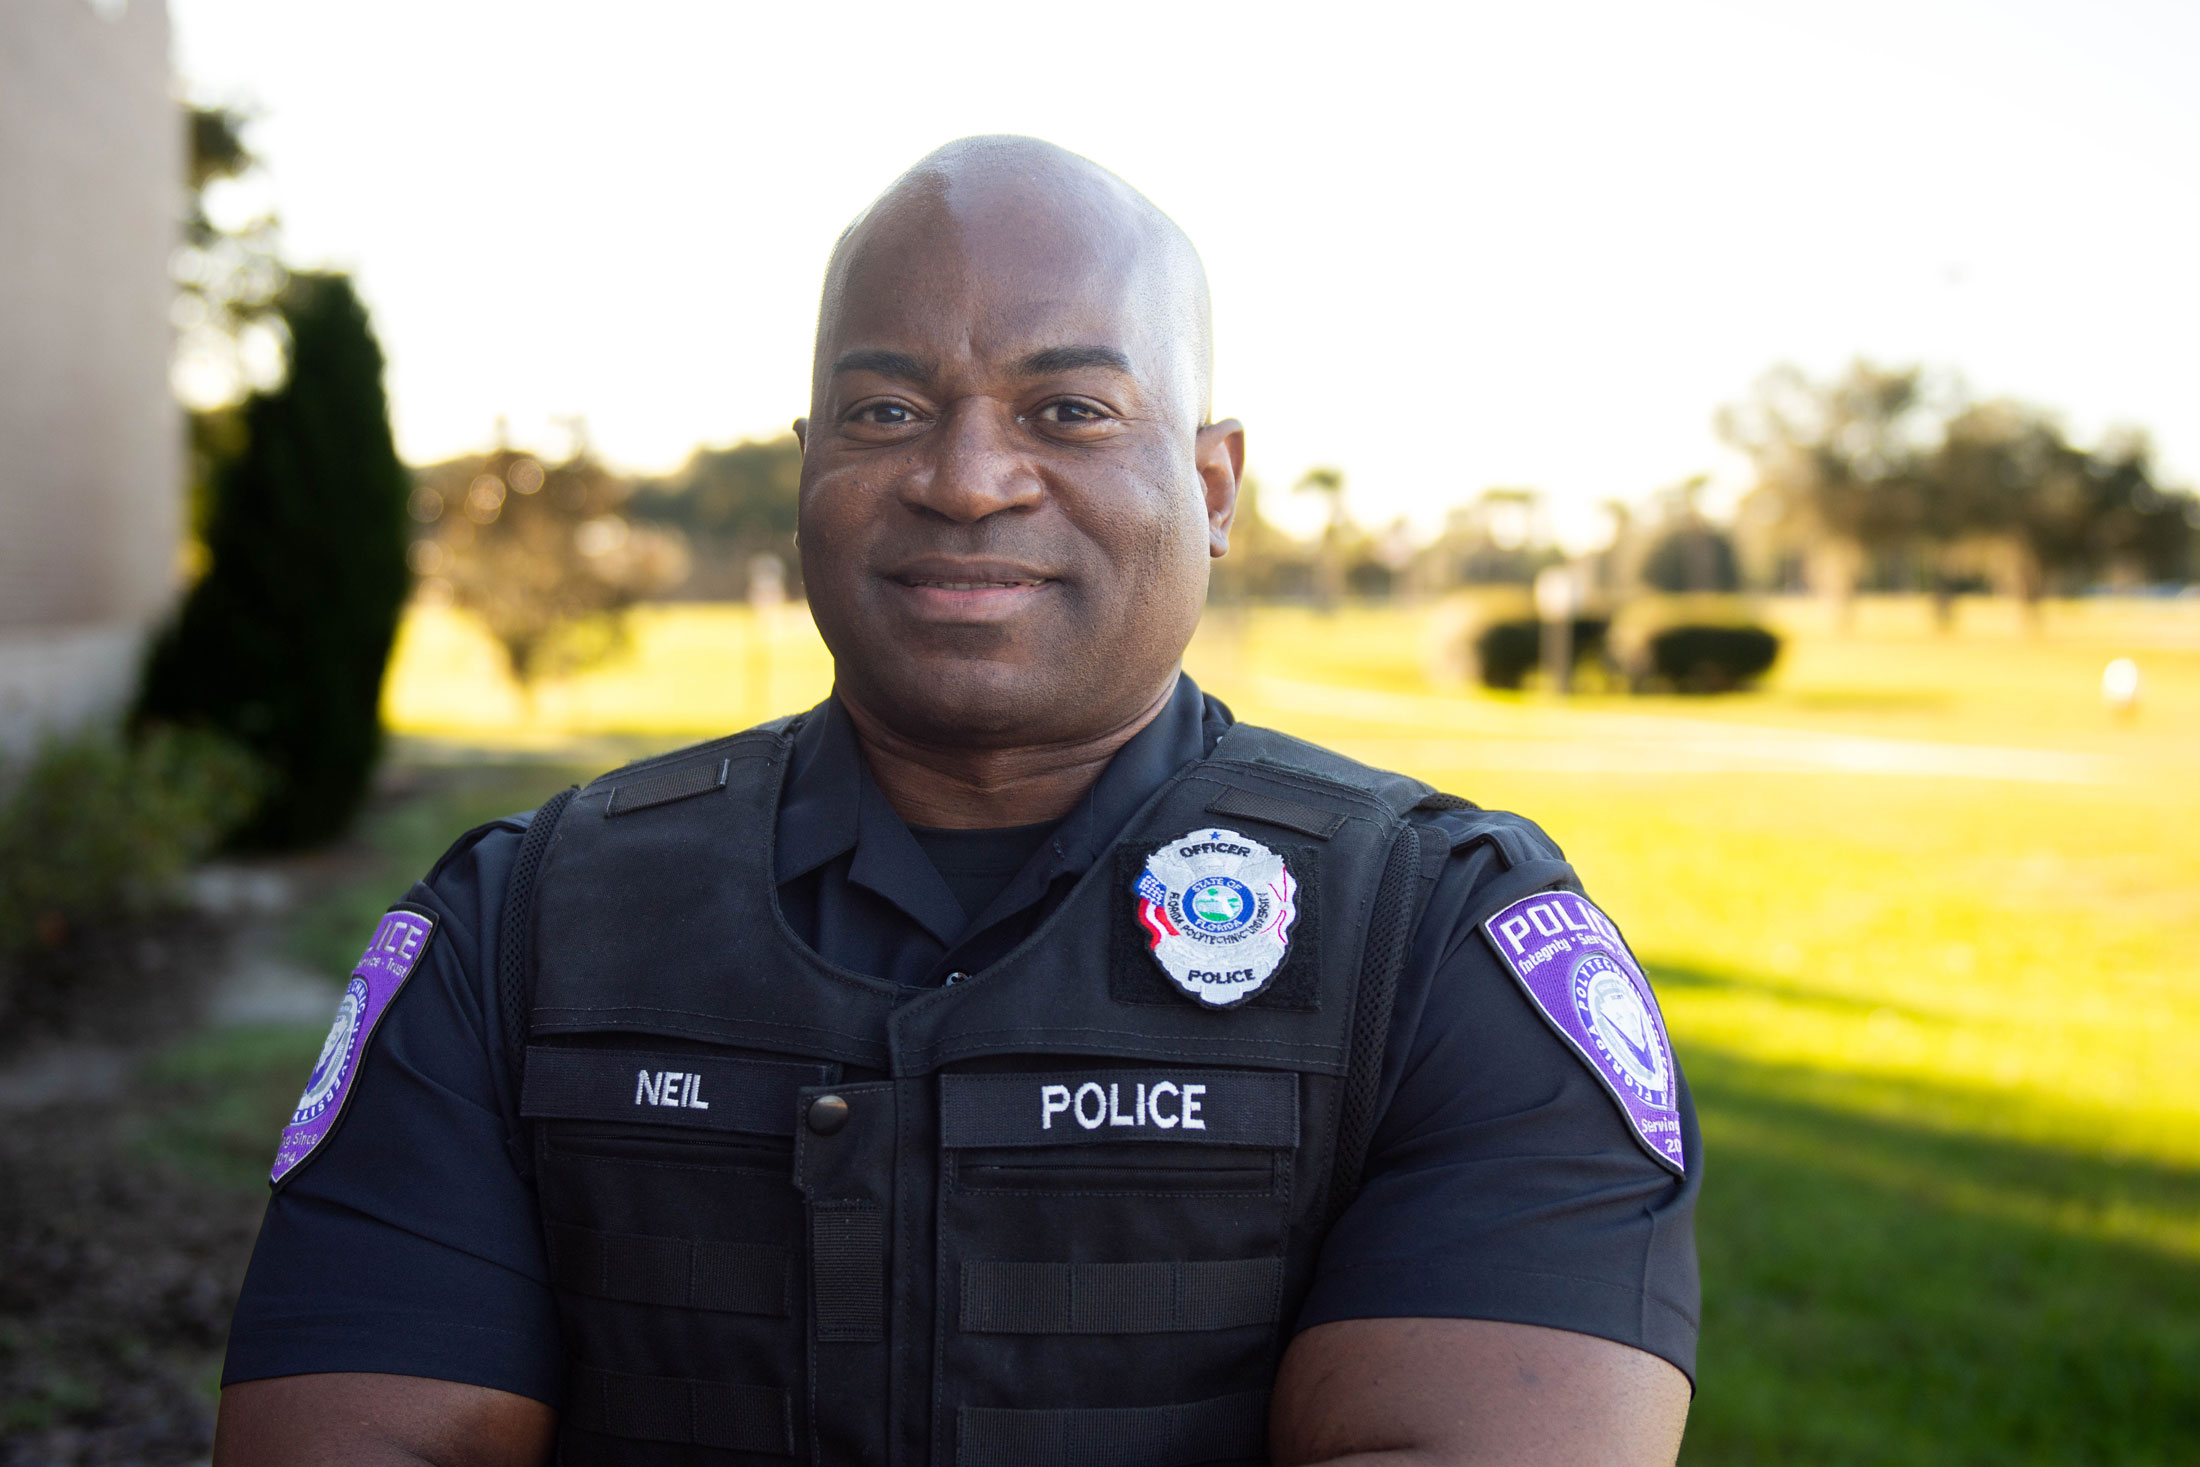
(989, 788)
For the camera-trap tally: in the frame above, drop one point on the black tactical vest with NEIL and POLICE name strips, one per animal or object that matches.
(1055, 1213)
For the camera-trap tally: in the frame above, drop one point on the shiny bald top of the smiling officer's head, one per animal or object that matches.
(1009, 217)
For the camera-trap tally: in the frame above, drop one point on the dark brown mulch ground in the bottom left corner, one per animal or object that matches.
(118, 1270)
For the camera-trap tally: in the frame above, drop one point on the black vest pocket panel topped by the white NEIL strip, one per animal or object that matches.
(676, 1253)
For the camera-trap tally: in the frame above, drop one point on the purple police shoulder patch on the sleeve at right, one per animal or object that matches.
(1583, 980)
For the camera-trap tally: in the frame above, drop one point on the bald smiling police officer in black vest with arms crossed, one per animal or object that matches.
(1011, 1061)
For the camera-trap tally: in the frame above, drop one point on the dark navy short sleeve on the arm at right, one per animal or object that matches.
(1504, 1180)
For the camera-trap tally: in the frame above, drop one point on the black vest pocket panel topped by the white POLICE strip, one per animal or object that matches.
(1112, 1277)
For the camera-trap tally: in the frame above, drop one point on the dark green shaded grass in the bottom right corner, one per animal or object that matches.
(1889, 1292)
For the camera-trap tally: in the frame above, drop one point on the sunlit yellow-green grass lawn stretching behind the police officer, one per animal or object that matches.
(1926, 923)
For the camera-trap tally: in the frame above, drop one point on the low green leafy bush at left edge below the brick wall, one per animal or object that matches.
(98, 832)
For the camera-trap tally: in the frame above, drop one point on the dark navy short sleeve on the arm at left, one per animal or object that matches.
(408, 1242)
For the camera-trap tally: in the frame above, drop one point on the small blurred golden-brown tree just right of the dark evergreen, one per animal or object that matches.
(540, 553)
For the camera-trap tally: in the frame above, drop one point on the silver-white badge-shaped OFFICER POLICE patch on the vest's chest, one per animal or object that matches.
(1218, 909)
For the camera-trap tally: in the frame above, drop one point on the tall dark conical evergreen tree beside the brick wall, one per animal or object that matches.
(285, 639)
